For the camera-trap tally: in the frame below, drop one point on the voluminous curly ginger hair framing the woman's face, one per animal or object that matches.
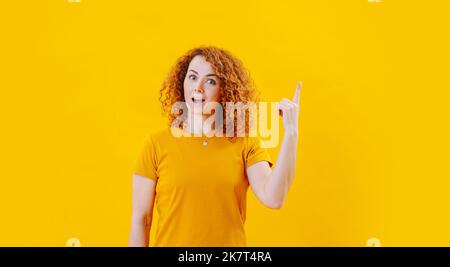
(236, 84)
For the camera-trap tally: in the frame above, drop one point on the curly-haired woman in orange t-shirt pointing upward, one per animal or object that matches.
(199, 183)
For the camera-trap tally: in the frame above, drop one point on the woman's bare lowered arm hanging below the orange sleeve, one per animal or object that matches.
(142, 210)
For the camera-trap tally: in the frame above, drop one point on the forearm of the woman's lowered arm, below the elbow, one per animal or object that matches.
(140, 231)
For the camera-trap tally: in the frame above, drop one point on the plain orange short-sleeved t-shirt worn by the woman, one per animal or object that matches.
(201, 191)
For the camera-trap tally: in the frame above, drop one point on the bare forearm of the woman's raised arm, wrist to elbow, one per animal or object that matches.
(280, 179)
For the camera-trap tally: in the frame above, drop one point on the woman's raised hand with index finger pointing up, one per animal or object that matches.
(289, 110)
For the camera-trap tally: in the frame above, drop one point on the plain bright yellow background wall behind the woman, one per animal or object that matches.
(79, 85)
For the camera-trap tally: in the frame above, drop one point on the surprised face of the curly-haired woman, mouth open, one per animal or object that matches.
(201, 85)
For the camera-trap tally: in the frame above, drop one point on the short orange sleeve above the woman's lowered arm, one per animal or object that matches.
(147, 163)
